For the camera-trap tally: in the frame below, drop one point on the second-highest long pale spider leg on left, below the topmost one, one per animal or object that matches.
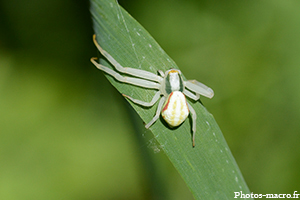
(129, 80)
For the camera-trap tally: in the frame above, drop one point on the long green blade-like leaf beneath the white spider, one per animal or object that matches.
(209, 169)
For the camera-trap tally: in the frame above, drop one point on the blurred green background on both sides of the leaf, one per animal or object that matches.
(65, 133)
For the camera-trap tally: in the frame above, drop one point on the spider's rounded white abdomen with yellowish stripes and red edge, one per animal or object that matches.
(175, 109)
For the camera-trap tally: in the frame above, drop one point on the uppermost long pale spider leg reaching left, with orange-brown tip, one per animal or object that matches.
(127, 70)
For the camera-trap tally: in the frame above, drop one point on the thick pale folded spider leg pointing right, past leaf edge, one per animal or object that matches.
(199, 88)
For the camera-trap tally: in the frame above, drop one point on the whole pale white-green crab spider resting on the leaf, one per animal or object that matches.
(173, 105)
